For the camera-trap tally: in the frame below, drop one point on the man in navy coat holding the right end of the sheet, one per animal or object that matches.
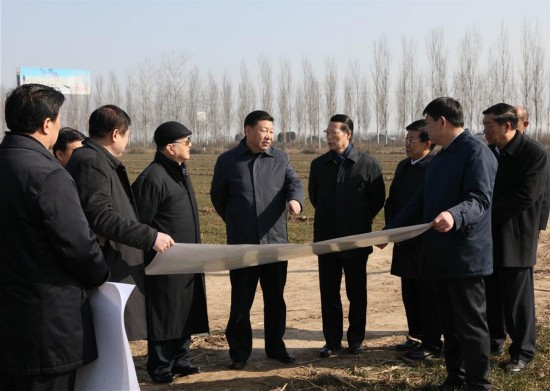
(458, 253)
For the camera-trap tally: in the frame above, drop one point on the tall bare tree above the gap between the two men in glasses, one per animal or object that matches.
(381, 79)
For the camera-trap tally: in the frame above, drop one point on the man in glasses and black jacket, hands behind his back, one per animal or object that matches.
(347, 190)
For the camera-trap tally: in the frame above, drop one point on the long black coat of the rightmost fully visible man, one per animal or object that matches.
(519, 186)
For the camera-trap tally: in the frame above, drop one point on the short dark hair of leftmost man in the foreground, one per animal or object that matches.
(28, 106)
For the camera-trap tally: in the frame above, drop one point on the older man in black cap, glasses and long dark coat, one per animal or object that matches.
(176, 304)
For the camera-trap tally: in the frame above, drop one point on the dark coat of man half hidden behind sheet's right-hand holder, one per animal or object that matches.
(408, 178)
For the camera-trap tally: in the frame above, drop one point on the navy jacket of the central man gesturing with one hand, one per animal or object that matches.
(250, 193)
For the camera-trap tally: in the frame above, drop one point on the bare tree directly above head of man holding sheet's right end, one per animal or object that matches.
(437, 58)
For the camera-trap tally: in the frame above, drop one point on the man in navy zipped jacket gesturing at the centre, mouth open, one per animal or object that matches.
(252, 187)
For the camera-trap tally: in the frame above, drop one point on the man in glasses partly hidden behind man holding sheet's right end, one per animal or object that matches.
(418, 292)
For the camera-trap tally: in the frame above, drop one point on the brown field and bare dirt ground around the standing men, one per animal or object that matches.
(378, 368)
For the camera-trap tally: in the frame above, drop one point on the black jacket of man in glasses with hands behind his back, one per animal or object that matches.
(346, 198)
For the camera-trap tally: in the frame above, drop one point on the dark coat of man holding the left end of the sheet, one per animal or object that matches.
(108, 202)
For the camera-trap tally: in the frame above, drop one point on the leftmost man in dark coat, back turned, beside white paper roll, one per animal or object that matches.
(49, 255)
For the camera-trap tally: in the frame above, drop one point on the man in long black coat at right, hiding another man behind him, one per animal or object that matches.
(517, 202)
